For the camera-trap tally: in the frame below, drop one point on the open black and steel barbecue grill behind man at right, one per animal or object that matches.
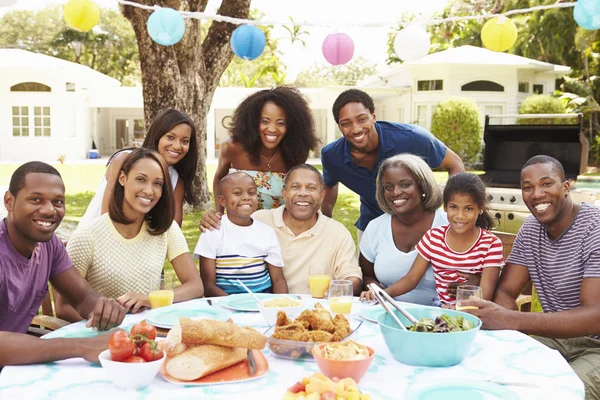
(509, 146)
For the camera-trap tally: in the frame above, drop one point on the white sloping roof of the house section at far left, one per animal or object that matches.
(85, 76)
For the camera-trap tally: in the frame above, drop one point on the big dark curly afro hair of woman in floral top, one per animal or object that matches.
(300, 135)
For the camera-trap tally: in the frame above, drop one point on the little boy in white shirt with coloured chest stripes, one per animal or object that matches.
(242, 248)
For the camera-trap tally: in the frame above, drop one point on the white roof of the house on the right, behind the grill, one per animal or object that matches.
(471, 55)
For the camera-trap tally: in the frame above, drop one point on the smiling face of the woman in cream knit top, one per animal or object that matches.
(143, 187)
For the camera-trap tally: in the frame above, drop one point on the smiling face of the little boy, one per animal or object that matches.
(239, 196)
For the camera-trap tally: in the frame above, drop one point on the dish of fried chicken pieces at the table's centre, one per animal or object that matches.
(296, 339)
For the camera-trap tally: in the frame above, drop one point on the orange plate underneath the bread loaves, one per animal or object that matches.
(239, 372)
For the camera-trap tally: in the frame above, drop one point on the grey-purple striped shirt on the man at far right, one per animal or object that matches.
(557, 267)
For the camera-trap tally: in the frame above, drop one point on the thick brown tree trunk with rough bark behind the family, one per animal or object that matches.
(185, 76)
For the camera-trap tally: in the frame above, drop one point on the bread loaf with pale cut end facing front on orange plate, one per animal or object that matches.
(199, 361)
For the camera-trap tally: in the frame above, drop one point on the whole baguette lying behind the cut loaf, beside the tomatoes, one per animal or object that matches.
(220, 333)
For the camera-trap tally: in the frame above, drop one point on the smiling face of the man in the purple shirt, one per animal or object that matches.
(37, 209)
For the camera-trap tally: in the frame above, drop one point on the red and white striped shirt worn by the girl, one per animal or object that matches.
(446, 263)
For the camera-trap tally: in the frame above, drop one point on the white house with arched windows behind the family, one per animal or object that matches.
(51, 107)
